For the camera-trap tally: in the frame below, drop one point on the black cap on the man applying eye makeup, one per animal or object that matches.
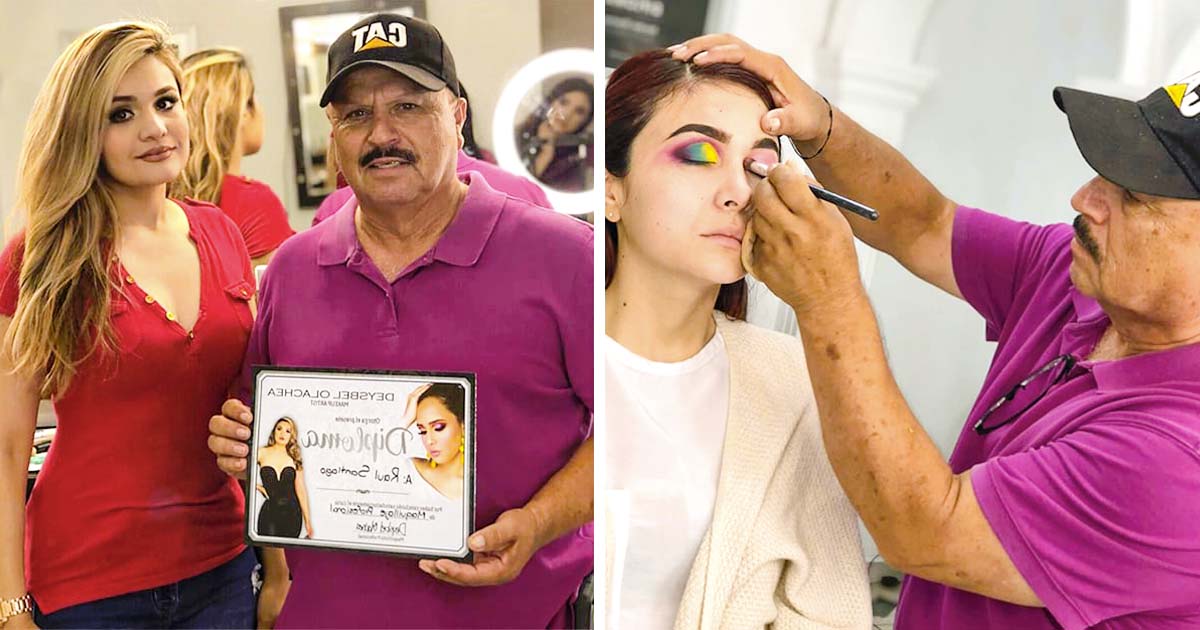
(1151, 146)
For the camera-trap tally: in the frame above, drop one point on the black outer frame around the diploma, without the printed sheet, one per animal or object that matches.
(471, 452)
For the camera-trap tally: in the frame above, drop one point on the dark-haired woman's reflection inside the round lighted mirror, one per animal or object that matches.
(554, 131)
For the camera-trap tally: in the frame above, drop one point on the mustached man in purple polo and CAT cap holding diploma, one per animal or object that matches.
(435, 272)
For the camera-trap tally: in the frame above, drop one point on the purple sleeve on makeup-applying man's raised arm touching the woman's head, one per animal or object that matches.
(994, 257)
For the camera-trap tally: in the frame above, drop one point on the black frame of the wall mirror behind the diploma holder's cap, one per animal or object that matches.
(287, 16)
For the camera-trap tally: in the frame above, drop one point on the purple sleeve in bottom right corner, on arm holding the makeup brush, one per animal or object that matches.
(1103, 523)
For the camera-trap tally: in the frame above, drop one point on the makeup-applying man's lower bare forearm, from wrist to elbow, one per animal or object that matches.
(887, 464)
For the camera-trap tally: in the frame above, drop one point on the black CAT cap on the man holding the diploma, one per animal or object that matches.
(410, 46)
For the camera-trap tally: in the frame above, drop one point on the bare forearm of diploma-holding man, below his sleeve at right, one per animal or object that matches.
(566, 502)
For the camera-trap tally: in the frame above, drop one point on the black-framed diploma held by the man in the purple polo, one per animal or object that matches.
(363, 461)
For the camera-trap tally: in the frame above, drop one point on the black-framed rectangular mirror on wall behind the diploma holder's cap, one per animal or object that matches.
(309, 31)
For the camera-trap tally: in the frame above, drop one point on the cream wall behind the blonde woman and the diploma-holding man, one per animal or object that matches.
(491, 41)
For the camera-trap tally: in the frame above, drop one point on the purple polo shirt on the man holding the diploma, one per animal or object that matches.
(506, 293)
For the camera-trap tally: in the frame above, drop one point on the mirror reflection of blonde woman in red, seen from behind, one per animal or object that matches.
(226, 127)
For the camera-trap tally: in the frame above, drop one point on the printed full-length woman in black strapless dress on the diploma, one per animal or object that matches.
(281, 483)
